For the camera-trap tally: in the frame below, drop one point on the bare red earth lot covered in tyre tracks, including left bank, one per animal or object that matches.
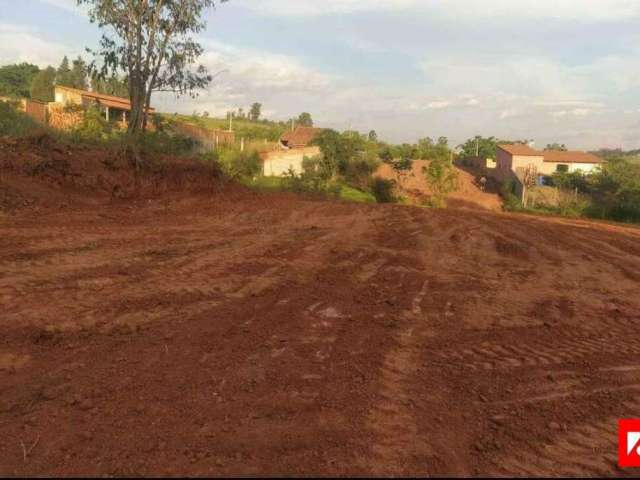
(215, 331)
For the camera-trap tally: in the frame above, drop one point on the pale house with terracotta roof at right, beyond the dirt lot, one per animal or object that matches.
(517, 158)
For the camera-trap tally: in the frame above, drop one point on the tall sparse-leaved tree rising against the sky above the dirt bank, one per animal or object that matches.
(153, 43)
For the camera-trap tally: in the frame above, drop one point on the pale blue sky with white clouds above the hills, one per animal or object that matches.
(549, 70)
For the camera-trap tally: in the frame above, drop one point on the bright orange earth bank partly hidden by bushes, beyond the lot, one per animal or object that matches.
(468, 194)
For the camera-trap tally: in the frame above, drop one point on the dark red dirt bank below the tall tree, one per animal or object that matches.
(38, 171)
